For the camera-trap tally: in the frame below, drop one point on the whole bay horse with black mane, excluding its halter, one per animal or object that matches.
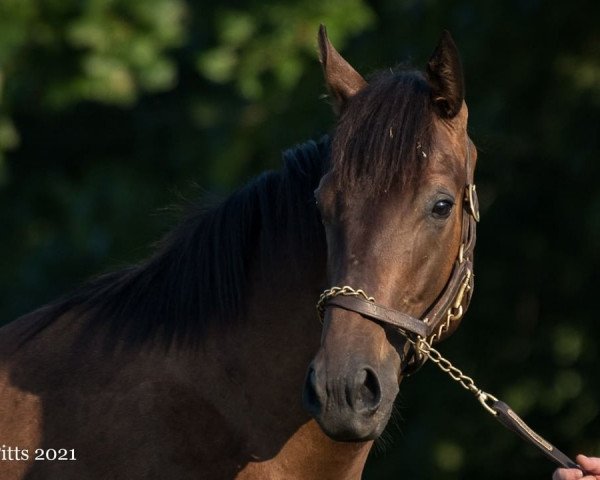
(193, 364)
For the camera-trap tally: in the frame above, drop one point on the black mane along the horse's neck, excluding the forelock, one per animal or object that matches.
(198, 275)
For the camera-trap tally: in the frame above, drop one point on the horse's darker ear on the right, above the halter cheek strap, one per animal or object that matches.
(445, 77)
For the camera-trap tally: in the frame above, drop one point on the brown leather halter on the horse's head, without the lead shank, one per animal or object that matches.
(450, 305)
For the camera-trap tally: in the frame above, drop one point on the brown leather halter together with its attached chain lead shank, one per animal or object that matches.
(450, 306)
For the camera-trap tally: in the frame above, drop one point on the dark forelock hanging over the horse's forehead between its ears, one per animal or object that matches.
(383, 133)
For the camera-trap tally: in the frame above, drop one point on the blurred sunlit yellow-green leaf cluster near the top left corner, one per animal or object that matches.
(123, 50)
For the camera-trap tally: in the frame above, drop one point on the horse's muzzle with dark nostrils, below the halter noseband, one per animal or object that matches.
(351, 396)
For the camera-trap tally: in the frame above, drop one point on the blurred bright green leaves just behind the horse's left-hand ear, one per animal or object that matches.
(274, 41)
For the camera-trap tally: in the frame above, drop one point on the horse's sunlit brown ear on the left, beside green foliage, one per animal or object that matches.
(342, 80)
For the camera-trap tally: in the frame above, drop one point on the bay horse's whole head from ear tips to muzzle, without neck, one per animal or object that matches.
(391, 203)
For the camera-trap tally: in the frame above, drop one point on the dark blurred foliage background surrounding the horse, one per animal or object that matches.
(111, 111)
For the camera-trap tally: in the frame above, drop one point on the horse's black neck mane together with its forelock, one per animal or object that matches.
(199, 274)
